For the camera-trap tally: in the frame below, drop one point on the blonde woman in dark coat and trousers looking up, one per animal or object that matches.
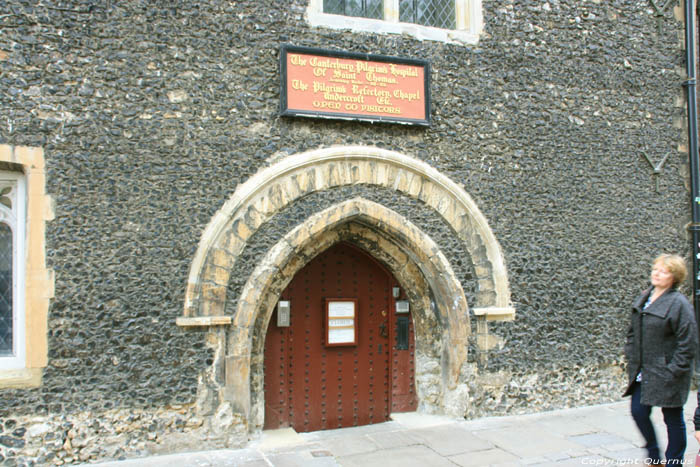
(660, 348)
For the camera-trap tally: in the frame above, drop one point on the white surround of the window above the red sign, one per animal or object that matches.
(470, 22)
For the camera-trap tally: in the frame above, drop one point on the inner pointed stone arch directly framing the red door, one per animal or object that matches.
(411, 256)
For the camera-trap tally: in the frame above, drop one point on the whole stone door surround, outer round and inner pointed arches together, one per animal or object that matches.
(236, 332)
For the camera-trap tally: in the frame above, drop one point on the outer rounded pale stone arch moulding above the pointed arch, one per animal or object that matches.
(285, 180)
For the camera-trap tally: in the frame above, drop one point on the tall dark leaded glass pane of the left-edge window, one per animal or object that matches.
(6, 289)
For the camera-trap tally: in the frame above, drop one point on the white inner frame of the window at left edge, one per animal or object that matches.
(15, 218)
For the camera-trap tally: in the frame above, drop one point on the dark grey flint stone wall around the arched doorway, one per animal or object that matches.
(150, 113)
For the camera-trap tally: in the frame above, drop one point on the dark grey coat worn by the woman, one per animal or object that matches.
(661, 343)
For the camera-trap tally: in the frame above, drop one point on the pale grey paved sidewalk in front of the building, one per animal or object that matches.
(601, 435)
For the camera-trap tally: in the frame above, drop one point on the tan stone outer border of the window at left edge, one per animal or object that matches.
(38, 280)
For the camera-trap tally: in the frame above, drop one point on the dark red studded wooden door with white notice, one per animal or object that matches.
(346, 357)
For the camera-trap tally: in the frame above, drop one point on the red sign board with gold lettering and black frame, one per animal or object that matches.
(320, 83)
